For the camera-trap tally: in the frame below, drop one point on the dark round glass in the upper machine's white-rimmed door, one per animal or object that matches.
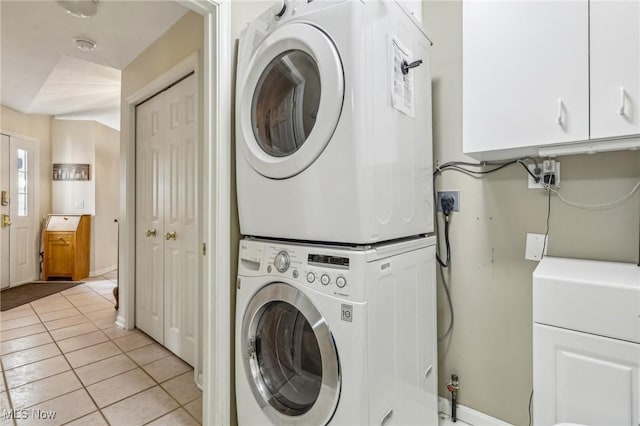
(285, 103)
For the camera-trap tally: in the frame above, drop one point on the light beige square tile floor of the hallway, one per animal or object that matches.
(63, 354)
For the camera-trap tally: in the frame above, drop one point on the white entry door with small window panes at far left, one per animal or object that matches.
(18, 218)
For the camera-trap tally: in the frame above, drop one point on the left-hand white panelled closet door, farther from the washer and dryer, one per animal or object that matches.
(150, 219)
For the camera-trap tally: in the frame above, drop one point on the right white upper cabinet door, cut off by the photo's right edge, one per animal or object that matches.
(615, 68)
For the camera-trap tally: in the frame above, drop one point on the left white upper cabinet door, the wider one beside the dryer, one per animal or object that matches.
(525, 74)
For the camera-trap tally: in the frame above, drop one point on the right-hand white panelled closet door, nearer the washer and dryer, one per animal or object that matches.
(181, 264)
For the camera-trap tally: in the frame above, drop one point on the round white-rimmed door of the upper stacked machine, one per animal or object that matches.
(291, 100)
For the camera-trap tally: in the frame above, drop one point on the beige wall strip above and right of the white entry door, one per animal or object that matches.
(38, 127)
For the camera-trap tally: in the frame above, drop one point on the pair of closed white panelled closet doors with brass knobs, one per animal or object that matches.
(167, 227)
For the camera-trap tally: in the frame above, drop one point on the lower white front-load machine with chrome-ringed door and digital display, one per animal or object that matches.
(336, 335)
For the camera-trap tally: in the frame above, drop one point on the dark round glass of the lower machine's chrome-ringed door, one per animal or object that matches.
(289, 358)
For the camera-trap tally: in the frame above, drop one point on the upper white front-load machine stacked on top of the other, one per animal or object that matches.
(333, 139)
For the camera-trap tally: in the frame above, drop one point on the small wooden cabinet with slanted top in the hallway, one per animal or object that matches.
(66, 246)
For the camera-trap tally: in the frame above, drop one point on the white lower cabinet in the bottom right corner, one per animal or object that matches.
(586, 342)
